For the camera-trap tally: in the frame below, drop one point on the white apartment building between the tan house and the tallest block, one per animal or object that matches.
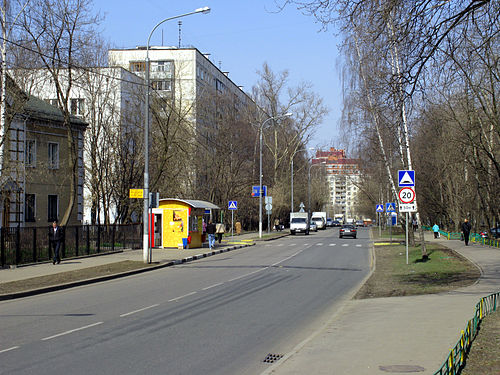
(111, 101)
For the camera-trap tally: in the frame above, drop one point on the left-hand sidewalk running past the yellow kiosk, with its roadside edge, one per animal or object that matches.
(160, 258)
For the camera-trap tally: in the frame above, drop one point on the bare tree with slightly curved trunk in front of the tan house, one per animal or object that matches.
(58, 31)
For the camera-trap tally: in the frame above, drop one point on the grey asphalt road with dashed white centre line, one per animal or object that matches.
(220, 315)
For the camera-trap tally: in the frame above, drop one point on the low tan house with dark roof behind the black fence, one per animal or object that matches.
(35, 178)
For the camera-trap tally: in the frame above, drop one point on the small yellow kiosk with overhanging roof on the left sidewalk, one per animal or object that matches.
(178, 223)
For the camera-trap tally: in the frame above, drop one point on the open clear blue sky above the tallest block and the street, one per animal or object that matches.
(240, 36)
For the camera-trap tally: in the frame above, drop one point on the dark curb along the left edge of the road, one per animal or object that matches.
(74, 284)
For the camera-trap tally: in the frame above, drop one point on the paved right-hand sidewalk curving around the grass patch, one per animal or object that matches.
(395, 335)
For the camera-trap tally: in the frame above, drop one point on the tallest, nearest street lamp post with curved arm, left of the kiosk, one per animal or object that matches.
(146, 249)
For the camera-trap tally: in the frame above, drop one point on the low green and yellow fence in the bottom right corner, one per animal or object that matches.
(455, 361)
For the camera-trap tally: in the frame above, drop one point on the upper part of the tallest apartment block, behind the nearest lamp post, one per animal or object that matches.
(185, 76)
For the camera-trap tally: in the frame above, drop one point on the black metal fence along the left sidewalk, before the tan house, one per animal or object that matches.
(31, 245)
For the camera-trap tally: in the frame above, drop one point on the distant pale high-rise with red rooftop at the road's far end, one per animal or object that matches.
(343, 179)
